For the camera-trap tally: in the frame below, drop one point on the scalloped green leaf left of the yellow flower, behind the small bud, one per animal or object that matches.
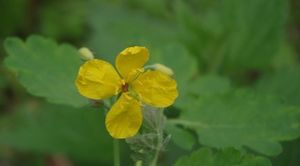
(45, 69)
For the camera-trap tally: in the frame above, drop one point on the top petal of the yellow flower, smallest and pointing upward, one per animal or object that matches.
(130, 61)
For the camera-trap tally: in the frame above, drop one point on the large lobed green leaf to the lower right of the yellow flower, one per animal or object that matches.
(241, 119)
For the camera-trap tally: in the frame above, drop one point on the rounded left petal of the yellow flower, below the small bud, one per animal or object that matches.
(98, 79)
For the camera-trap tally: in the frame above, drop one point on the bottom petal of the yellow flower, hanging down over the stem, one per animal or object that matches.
(124, 119)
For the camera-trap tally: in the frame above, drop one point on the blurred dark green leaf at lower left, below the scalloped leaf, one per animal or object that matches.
(45, 128)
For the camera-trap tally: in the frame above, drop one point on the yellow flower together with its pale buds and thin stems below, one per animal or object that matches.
(138, 91)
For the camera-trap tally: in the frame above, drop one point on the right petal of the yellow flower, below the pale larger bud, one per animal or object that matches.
(156, 88)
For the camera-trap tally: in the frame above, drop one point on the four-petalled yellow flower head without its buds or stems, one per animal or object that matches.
(97, 79)
